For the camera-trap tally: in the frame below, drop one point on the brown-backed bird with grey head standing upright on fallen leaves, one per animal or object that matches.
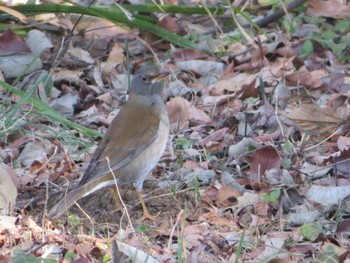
(132, 145)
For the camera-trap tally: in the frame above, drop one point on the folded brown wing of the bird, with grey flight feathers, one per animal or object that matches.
(130, 133)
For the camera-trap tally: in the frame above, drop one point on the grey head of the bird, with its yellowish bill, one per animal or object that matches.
(149, 80)
